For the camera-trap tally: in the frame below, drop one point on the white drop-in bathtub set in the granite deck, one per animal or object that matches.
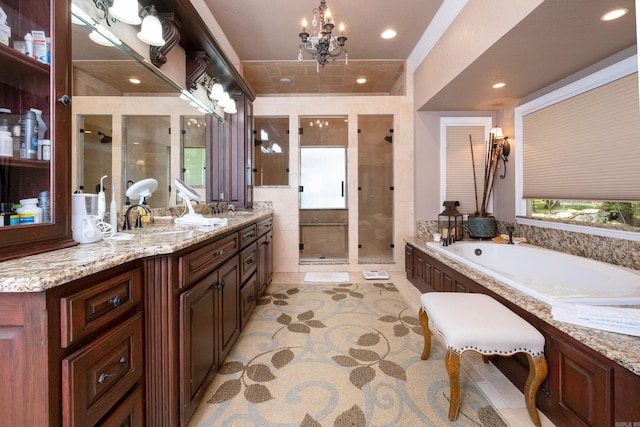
(547, 275)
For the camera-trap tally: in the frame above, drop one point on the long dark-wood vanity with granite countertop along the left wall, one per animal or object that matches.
(127, 332)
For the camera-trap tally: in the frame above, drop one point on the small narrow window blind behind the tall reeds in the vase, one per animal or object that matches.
(459, 174)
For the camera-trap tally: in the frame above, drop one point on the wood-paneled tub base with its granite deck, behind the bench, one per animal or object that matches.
(594, 375)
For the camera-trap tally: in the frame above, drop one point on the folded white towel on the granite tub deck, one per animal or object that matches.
(623, 320)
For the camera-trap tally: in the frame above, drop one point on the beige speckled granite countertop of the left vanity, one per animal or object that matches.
(39, 272)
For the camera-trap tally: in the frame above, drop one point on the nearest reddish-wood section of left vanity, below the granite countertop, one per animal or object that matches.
(72, 355)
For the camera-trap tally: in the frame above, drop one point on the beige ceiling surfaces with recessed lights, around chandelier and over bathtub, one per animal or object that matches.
(557, 39)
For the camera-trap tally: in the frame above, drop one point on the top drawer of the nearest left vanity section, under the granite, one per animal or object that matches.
(86, 311)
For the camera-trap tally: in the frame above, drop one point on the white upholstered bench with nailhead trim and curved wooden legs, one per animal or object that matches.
(479, 323)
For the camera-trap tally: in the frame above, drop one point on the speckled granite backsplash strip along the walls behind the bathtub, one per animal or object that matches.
(620, 252)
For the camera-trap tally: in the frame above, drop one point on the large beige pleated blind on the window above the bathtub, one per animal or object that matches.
(586, 147)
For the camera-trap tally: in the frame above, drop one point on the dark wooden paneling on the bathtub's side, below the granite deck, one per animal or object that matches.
(583, 387)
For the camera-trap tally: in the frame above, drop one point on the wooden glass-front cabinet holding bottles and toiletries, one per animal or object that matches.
(34, 127)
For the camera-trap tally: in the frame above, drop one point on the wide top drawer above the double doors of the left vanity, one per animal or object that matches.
(198, 263)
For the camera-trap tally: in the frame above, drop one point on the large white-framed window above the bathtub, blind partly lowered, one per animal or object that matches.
(579, 156)
